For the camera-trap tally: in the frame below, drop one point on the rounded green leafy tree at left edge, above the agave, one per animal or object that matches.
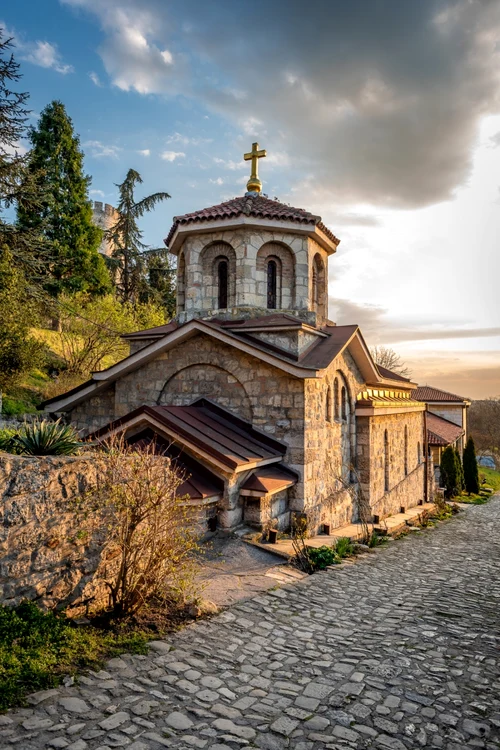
(19, 352)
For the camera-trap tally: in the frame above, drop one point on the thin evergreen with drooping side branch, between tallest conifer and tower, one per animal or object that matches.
(128, 260)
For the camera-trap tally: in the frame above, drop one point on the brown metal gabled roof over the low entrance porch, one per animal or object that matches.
(216, 432)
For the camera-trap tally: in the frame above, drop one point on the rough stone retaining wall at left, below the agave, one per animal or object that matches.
(42, 557)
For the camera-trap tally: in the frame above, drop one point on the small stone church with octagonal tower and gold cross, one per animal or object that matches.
(269, 407)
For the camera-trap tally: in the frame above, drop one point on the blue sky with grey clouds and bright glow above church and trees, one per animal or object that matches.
(383, 117)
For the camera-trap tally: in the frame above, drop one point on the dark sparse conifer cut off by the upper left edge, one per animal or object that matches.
(17, 185)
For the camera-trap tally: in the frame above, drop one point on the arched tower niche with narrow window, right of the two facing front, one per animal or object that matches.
(283, 257)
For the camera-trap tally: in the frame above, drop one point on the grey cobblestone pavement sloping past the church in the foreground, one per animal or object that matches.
(398, 650)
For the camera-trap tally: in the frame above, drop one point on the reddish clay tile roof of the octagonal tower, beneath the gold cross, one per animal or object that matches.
(251, 205)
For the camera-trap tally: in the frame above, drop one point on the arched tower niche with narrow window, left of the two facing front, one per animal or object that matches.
(212, 256)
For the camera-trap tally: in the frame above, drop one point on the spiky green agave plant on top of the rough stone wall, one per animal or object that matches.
(48, 439)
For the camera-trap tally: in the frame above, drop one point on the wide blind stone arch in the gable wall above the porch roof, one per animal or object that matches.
(210, 381)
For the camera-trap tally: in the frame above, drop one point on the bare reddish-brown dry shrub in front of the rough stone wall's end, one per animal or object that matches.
(149, 532)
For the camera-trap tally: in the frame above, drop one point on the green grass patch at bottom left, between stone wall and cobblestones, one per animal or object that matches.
(38, 648)
